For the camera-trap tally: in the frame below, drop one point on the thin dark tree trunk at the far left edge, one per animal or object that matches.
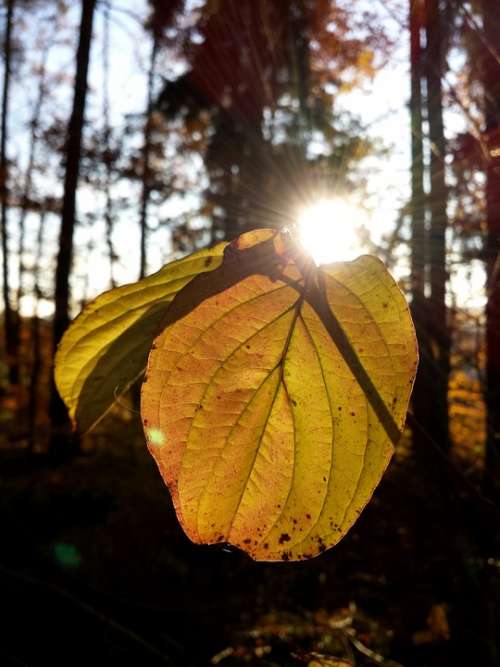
(9, 315)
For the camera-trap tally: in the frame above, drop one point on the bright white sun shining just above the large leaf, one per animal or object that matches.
(327, 230)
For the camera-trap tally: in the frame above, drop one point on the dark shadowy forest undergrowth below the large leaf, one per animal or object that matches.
(95, 569)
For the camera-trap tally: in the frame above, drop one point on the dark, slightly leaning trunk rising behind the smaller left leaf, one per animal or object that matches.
(58, 412)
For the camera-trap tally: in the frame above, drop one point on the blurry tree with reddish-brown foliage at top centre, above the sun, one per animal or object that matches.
(257, 116)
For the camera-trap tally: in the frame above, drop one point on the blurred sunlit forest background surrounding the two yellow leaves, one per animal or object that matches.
(135, 132)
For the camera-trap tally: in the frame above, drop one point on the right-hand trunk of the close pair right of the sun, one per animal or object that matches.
(438, 197)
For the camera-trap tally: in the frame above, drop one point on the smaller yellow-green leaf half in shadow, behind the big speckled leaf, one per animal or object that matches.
(105, 349)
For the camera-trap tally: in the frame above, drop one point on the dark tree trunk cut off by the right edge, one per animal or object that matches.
(491, 68)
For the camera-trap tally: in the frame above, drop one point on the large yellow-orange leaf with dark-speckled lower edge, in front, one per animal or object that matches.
(272, 400)
